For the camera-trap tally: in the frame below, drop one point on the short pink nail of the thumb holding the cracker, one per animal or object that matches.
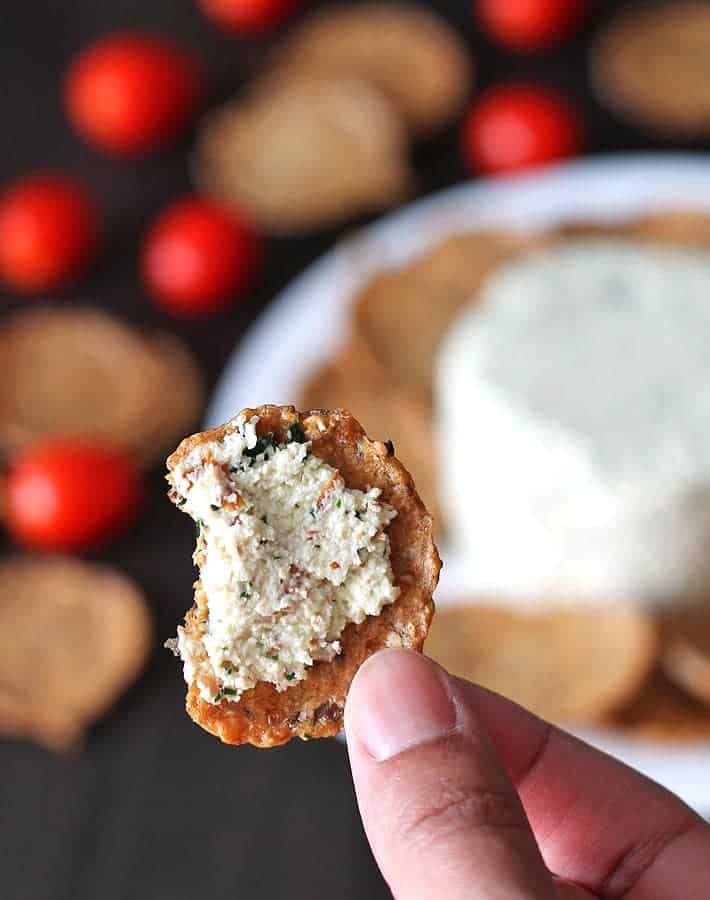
(397, 701)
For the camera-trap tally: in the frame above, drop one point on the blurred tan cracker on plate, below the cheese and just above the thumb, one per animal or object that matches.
(573, 665)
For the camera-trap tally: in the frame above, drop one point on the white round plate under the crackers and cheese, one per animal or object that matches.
(301, 327)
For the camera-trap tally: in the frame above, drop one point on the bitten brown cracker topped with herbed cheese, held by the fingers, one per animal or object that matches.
(314, 552)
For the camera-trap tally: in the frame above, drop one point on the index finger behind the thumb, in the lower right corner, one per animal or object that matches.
(599, 823)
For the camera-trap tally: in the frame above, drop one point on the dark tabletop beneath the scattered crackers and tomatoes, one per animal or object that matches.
(154, 807)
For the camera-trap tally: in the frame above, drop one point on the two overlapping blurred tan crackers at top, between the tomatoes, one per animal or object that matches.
(323, 135)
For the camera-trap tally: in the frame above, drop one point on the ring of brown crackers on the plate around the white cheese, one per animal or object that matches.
(617, 667)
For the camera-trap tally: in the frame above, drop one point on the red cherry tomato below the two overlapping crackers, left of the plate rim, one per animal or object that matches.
(197, 256)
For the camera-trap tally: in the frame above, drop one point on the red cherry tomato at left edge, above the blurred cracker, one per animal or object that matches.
(48, 232)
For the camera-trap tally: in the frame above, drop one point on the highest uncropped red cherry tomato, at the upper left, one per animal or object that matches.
(130, 93)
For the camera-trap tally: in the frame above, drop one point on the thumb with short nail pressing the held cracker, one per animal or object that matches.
(441, 815)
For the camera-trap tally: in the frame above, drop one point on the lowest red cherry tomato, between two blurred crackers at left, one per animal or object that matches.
(70, 495)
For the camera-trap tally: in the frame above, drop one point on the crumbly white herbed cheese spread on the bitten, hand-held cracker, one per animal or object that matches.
(288, 556)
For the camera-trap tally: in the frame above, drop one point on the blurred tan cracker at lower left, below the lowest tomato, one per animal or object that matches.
(75, 635)
